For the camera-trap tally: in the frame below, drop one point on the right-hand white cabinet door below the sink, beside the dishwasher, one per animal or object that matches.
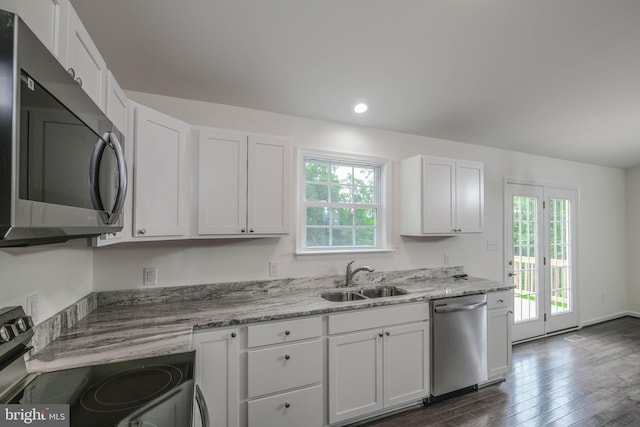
(406, 363)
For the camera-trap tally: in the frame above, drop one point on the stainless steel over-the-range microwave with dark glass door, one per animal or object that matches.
(62, 169)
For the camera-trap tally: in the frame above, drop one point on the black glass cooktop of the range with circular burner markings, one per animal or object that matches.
(151, 391)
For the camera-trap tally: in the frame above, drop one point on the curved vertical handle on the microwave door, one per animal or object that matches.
(111, 139)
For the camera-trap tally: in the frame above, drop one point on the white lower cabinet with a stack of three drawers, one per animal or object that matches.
(285, 374)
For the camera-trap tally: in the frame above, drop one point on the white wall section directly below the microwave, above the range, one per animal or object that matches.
(60, 274)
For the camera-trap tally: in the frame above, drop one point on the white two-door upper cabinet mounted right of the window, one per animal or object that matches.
(441, 196)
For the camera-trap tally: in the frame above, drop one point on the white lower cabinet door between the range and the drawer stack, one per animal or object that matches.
(217, 359)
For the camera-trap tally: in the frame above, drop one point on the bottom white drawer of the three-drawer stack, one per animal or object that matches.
(293, 409)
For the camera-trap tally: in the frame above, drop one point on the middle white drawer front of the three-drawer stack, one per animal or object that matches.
(284, 367)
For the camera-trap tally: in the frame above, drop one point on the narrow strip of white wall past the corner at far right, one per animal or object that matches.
(633, 237)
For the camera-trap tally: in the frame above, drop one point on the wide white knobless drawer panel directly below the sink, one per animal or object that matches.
(378, 317)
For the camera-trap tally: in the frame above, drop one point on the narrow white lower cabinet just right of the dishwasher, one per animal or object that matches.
(499, 324)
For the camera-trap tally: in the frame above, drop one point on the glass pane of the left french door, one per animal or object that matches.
(524, 258)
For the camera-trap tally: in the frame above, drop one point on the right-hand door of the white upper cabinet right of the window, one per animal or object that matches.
(469, 197)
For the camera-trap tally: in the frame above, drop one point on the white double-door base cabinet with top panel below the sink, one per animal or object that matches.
(379, 368)
